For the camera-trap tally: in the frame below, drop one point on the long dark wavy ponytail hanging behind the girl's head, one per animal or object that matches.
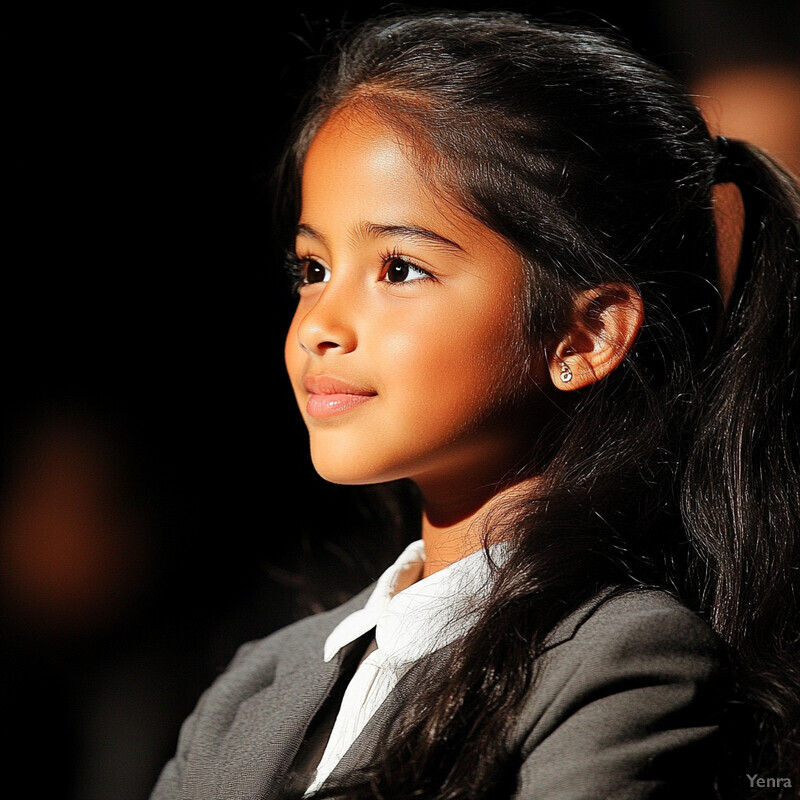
(741, 493)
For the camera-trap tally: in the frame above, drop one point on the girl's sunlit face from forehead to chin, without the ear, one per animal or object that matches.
(407, 352)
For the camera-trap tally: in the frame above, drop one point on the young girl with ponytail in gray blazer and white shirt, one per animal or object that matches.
(504, 240)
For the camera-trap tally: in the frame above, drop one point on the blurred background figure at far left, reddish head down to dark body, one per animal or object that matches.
(77, 569)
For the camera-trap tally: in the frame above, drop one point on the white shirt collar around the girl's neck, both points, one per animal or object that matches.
(427, 615)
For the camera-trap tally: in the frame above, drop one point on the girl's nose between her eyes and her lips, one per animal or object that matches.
(327, 325)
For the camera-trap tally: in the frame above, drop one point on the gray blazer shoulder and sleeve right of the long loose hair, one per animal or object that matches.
(629, 695)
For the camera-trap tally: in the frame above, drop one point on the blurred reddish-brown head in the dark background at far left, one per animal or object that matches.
(75, 554)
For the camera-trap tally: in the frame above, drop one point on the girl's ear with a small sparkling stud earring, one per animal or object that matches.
(606, 320)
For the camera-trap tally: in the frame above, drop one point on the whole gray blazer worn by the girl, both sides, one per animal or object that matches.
(626, 705)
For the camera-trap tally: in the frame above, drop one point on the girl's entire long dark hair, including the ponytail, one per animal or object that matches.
(680, 469)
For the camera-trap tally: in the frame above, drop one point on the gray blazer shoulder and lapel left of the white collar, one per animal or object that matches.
(247, 721)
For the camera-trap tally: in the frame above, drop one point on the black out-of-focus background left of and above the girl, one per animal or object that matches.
(158, 505)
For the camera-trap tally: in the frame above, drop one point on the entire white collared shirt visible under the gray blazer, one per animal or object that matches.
(427, 615)
